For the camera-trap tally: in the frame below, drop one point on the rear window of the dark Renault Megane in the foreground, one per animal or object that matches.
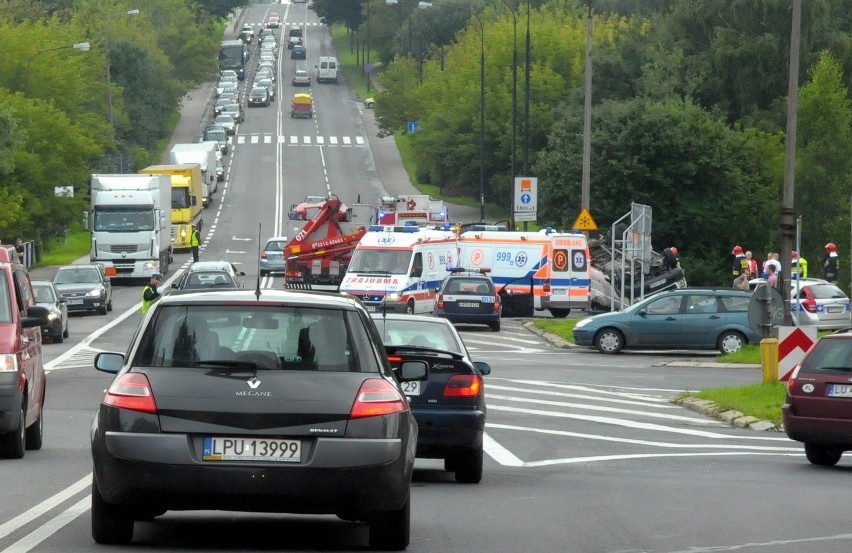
(261, 336)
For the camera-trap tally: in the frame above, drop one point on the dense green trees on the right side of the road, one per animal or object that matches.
(689, 112)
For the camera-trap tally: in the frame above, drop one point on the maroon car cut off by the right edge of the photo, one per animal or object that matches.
(817, 410)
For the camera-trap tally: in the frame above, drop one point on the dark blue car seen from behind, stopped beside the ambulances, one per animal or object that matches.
(468, 296)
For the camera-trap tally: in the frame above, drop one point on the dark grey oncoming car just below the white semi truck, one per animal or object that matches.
(84, 287)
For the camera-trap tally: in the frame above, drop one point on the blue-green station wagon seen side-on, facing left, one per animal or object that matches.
(687, 318)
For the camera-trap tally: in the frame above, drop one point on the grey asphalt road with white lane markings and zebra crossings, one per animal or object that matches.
(585, 452)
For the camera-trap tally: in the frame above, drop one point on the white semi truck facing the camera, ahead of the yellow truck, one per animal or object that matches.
(130, 220)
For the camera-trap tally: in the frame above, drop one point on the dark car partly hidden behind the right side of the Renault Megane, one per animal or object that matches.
(449, 405)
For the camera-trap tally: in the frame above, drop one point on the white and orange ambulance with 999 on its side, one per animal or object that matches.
(555, 266)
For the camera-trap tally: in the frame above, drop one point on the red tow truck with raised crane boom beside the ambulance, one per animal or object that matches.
(320, 247)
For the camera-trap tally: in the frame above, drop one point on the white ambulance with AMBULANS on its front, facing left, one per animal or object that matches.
(398, 269)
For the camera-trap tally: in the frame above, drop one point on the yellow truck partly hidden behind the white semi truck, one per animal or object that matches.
(187, 199)
